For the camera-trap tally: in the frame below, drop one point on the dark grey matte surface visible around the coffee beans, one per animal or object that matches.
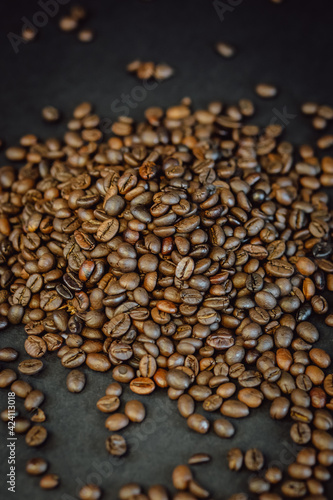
(289, 45)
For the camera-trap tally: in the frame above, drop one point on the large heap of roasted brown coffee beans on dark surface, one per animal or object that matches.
(187, 252)
